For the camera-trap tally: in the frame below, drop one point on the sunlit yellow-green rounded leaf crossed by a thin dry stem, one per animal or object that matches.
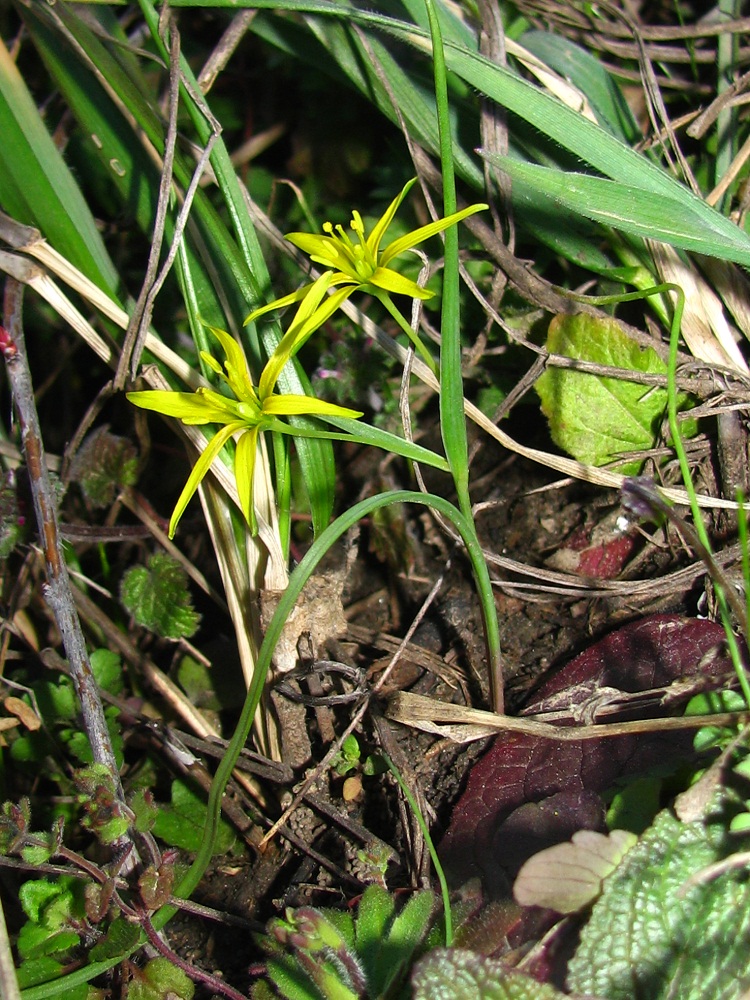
(593, 418)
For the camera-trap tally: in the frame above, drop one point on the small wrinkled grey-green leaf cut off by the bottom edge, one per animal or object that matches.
(451, 974)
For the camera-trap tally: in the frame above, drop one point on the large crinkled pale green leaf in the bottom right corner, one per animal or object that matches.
(662, 935)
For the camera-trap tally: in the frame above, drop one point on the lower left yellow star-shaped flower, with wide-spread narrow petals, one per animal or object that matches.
(252, 410)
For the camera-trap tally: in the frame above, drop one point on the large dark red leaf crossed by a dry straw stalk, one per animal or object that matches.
(527, 793)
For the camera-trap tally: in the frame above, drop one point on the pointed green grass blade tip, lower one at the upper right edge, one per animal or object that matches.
(677, 218)
